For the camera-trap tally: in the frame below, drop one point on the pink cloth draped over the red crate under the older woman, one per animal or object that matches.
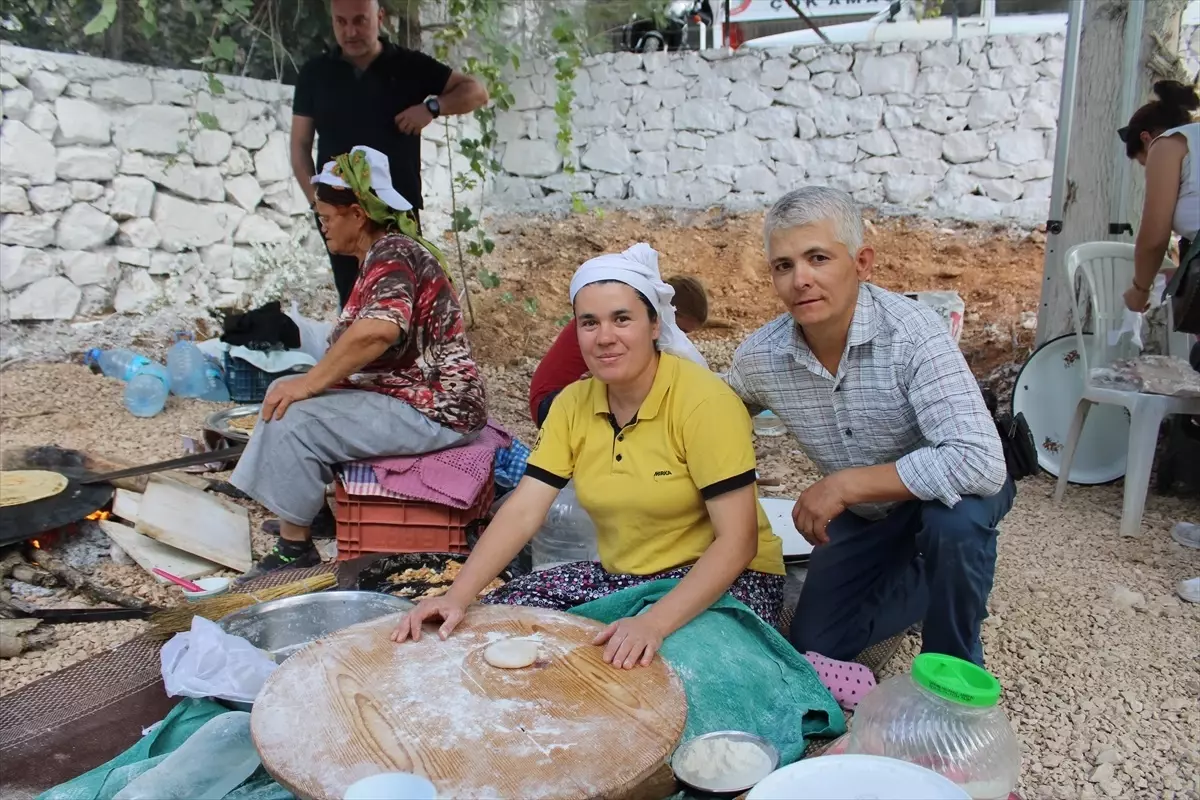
(454, 478)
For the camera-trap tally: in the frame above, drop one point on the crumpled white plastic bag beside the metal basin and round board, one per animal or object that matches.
(209, 663)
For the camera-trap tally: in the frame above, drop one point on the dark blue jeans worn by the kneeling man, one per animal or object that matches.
(925, 562)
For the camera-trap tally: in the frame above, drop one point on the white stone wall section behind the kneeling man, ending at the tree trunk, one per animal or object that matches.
(953, 130)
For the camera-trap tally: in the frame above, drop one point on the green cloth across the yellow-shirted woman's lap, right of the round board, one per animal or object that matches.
(739, 672)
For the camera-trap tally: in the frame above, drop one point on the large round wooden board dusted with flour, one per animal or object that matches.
(571, 726)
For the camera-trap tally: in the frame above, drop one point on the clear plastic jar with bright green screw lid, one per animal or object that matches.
(944, 717)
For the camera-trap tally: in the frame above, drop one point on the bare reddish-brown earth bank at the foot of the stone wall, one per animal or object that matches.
(521, 294)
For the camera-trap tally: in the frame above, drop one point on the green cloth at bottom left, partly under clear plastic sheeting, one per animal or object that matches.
(184, 720)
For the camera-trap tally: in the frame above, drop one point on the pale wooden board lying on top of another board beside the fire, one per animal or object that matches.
(196, 522)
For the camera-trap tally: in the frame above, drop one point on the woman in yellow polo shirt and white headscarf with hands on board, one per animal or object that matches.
(663, 460)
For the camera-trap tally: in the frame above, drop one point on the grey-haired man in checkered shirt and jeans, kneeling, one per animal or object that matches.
(881, 400)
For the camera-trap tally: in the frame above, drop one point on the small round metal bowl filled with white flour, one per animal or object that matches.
(724, 762)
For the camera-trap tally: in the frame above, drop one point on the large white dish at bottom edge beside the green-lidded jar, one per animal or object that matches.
(853, 778)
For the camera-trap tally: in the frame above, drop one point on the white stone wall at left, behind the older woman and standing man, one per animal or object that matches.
(116, 197)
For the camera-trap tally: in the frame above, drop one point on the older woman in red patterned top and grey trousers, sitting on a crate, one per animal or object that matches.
(398, 378)
